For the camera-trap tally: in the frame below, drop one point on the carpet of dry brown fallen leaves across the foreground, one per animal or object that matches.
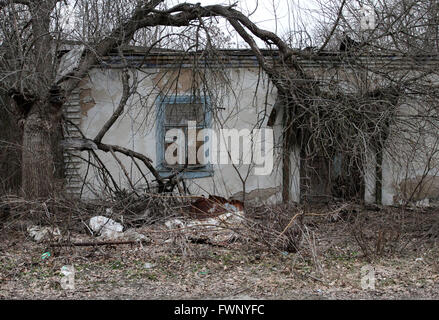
(159, 270)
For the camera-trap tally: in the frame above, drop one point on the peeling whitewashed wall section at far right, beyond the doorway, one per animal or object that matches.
(411, 160)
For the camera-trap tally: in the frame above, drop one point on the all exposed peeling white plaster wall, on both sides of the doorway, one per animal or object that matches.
(241, 97)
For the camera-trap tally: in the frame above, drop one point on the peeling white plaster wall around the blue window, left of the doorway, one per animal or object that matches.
(240, 103)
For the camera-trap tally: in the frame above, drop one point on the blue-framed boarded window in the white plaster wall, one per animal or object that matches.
(174, 112)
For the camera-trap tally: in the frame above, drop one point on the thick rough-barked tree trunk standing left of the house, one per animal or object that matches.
(38, 165)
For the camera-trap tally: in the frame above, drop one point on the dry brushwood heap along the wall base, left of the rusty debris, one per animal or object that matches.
(71, 214)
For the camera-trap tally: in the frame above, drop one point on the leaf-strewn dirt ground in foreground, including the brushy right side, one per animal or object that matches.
(398, 249)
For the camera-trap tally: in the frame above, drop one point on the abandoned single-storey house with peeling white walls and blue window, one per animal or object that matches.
(229, 90)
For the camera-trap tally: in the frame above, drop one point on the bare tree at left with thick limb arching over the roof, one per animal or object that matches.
(33, 31)
